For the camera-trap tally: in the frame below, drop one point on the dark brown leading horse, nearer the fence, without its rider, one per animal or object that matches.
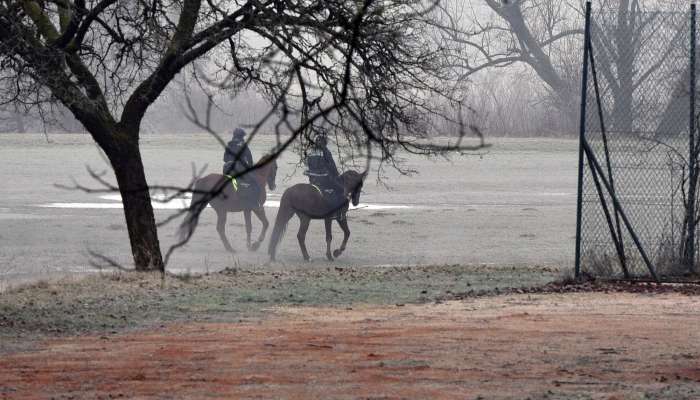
(307, 202)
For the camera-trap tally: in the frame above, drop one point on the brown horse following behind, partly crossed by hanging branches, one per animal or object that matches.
(230, 200)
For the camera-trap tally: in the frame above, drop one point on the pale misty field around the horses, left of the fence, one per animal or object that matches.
(512, 204)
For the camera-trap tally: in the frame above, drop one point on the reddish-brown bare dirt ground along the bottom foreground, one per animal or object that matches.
(609, 346)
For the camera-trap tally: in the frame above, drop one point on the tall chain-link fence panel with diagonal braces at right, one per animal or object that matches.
(636, 134)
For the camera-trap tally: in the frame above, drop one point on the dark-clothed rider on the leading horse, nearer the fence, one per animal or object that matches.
(321, 168)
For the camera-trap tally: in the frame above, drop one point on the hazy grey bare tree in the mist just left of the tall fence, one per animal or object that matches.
(543, 35)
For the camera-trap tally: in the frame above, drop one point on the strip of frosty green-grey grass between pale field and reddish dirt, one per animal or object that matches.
(117, 301)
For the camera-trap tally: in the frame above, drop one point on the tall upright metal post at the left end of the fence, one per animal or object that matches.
(582, 133)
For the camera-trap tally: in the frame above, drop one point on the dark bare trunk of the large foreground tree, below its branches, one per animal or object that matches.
(138, 211)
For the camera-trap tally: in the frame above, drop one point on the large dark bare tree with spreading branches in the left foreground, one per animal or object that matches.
(372, 68)
